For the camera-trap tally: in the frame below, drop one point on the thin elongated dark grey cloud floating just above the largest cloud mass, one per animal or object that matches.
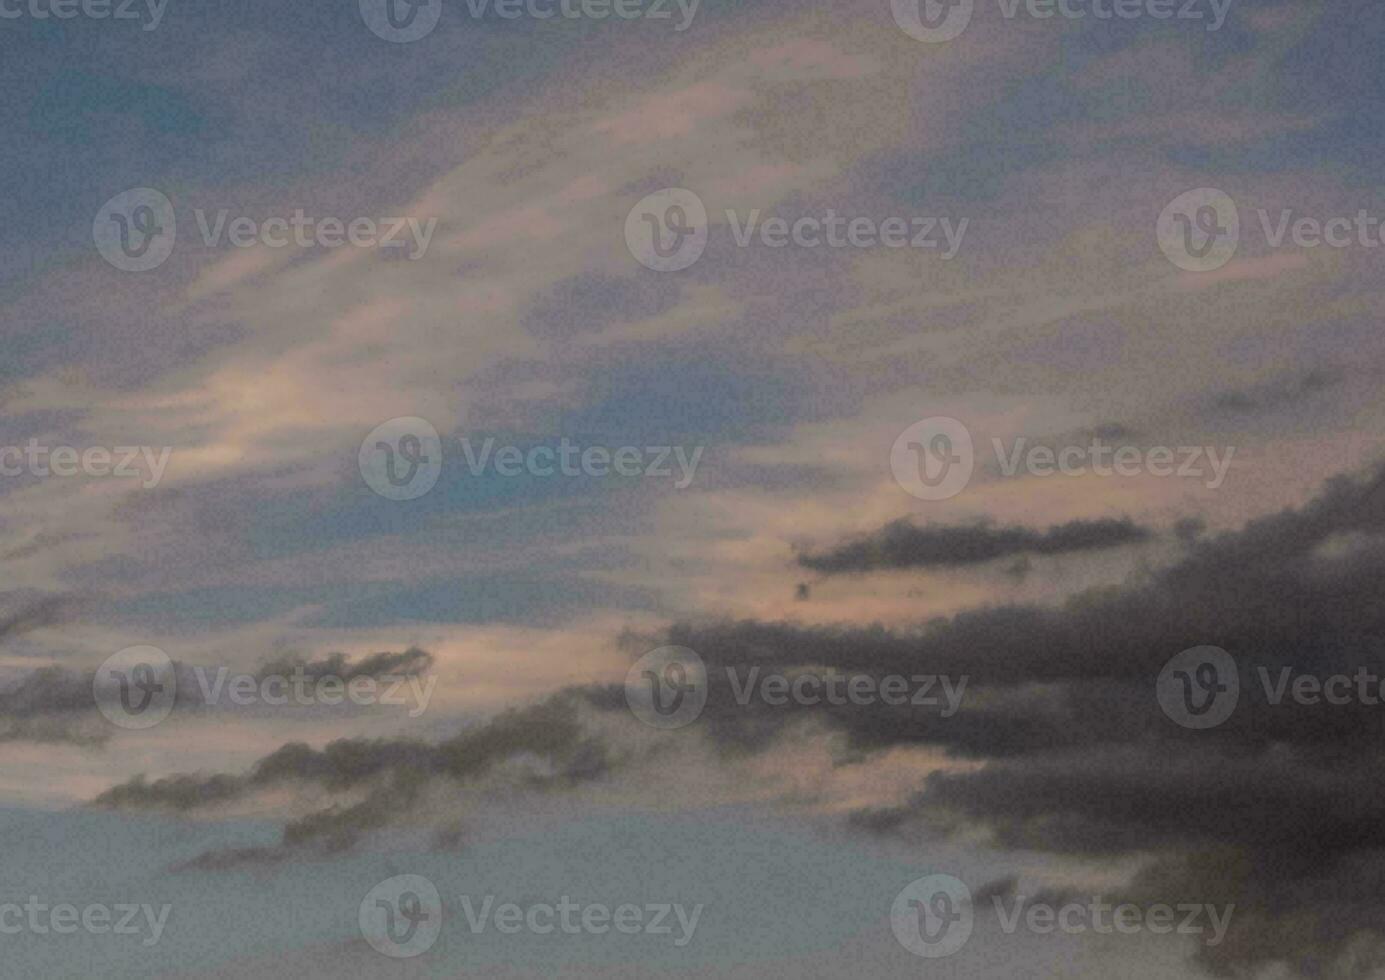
(902, 545)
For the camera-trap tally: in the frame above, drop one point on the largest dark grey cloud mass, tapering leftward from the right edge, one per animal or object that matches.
(1279, 810)
